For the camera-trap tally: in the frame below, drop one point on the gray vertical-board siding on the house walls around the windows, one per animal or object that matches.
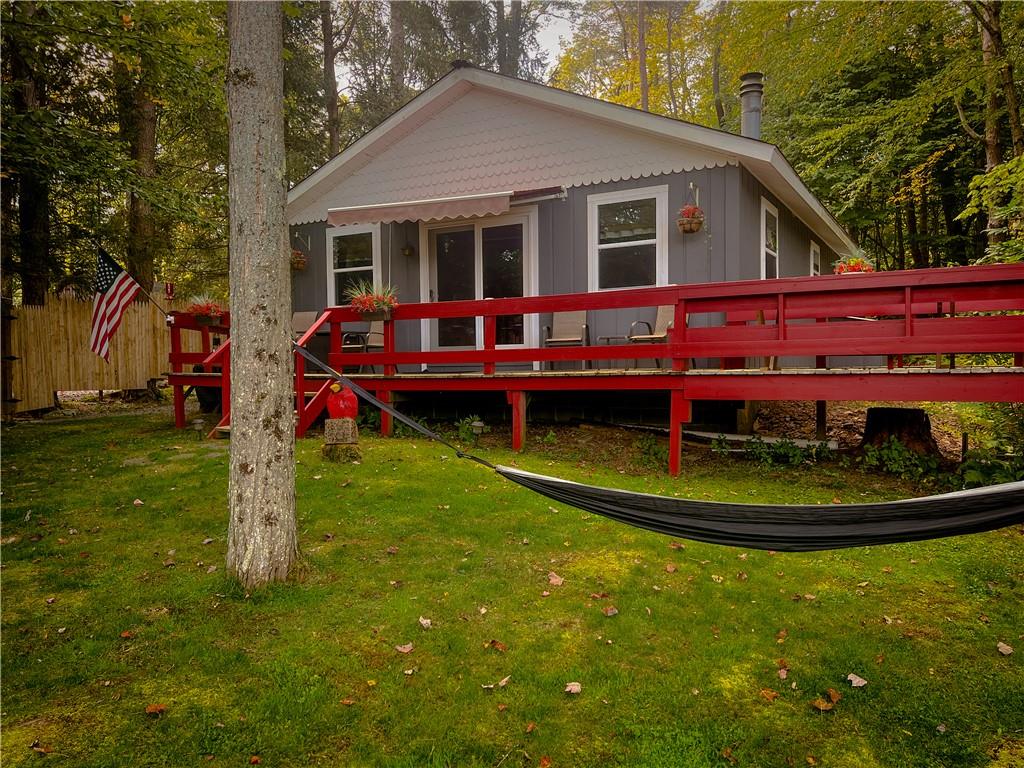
(728, 248)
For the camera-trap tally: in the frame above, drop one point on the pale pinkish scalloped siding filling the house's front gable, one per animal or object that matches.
(486, 142)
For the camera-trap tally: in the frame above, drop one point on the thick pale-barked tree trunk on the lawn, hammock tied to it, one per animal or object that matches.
(262, 537)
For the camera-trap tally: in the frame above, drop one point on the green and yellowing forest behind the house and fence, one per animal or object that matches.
(904, 118)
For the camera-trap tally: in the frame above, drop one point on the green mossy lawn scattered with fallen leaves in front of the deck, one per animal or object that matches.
(110, 608)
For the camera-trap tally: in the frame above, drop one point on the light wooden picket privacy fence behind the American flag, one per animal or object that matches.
(49, 352)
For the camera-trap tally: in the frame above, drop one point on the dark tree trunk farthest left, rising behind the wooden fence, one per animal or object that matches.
(36, 263)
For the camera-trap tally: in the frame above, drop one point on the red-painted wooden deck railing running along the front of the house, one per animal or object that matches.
(891, 315)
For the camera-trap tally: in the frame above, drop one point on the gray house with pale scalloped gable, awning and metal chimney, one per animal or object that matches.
(488, 187)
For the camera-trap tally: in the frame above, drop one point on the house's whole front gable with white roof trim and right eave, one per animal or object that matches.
(468, 134)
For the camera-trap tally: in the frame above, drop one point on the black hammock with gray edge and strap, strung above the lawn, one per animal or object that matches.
(784, 528)
